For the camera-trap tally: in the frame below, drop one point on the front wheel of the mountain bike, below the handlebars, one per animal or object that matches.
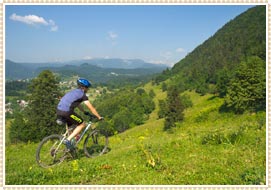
(95, 144)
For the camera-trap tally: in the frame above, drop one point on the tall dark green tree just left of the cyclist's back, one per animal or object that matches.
(41, 111)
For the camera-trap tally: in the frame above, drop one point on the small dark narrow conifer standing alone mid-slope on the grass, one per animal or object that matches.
(175, 109)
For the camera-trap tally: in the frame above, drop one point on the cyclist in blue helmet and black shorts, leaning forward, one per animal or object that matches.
(69, 102)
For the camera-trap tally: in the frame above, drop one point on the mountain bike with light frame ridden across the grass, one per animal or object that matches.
(52, 151)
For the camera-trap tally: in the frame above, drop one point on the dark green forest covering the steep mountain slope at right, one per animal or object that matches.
(214, 62)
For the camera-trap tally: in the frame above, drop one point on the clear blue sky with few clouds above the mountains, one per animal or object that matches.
(154, 33)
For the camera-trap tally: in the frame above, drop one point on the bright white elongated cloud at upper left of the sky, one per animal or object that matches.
(34, 20)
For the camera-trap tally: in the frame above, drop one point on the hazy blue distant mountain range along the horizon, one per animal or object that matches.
(99, 70)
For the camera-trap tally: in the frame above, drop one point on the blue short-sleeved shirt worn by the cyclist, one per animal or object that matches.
(71, 100)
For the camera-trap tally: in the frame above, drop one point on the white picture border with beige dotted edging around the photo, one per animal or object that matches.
(133, 2)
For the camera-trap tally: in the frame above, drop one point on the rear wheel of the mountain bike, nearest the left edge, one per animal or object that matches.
(46, 154)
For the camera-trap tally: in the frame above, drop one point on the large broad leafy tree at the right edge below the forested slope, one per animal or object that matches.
(247, 90)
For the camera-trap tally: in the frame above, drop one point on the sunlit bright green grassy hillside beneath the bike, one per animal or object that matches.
(209, 147)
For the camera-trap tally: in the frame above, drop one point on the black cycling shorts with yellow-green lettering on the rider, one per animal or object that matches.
(70, 117)
